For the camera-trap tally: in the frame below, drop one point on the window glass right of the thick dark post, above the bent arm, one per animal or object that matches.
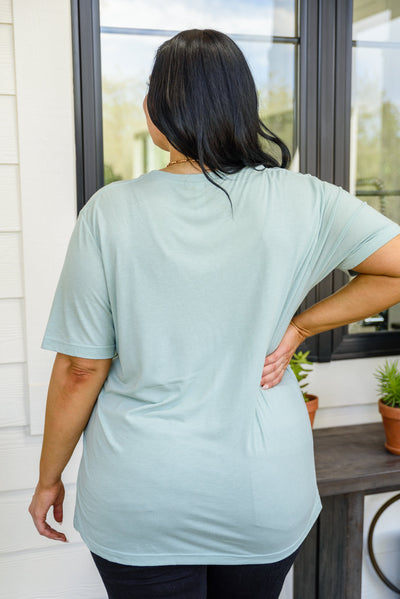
(375, 122)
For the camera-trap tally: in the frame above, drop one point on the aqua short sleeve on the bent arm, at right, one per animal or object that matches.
(350, 231)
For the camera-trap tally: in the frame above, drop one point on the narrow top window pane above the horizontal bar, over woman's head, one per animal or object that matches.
(263, 17)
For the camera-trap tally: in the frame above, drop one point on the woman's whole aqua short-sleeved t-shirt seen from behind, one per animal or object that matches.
(186, 459)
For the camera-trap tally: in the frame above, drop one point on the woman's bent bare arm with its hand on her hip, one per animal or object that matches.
(376, 288)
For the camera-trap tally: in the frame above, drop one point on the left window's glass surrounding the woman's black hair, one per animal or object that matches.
(126, 61)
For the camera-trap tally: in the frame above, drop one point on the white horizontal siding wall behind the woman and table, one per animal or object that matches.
(37, 213)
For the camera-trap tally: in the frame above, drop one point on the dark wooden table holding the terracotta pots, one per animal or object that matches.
(351, 462)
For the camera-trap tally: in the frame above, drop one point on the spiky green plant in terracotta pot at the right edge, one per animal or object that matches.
(388, 377)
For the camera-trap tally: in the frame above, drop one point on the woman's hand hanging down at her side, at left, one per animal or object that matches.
(42, 500)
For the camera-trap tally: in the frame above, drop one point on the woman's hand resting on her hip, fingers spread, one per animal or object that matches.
(276, 363)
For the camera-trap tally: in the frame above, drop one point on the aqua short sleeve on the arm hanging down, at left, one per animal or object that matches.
(80, 322)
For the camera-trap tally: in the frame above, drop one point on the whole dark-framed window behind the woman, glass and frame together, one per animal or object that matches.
(311, 94)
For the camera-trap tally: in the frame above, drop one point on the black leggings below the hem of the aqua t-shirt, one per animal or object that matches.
(253, 581)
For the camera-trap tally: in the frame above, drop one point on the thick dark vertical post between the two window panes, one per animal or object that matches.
(325, 98)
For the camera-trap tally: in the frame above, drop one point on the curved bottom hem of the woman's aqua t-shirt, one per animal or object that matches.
(164, 559)
